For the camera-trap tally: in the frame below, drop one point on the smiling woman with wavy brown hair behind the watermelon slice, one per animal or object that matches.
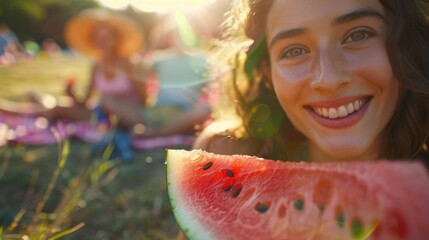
(322, 83)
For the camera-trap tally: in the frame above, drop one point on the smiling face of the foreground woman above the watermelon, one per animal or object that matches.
(331, 74)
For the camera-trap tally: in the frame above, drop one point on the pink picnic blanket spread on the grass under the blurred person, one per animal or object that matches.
(32, 130)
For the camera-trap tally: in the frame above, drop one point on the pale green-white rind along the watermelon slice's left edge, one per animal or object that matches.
(191, 228)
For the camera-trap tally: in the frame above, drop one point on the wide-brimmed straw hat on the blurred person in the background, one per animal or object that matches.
(78, 32)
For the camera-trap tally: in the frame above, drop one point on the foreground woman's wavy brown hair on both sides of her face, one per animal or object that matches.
(408, 51)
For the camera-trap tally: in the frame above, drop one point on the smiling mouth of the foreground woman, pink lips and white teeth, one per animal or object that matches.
(339, 113)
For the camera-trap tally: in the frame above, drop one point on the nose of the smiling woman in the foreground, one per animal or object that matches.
(329, 73)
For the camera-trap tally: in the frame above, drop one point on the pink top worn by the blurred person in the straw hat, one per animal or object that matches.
(119, 86)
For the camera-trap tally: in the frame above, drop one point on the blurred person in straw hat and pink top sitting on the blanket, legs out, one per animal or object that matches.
(117, 85)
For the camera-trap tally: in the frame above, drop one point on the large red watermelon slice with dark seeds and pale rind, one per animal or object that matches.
(242, 197)
